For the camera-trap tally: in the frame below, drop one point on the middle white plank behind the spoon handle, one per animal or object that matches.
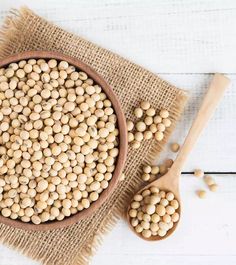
(216, 147)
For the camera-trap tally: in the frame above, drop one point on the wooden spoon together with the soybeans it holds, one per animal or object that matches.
(155, 210)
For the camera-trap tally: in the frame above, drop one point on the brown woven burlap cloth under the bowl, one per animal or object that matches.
(22, 31)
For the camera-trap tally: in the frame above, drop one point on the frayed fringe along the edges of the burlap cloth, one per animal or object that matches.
(11, 31)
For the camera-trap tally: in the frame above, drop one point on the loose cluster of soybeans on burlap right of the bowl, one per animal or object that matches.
(149, 123)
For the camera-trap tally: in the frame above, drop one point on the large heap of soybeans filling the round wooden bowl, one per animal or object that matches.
(58, 140)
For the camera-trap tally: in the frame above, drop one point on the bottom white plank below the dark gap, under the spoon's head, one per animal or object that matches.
(206, 234)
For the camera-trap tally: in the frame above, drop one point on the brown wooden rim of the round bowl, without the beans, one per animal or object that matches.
(123, 144)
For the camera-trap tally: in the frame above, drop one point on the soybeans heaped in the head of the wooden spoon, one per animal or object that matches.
(153, 212)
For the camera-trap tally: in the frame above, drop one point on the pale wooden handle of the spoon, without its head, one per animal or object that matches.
(215, 92)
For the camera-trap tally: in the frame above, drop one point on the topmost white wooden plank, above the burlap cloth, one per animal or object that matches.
(166, 37)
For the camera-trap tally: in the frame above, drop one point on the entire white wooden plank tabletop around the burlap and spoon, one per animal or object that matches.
(184, 41)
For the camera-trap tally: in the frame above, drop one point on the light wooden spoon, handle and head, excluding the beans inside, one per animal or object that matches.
(170, 181)
